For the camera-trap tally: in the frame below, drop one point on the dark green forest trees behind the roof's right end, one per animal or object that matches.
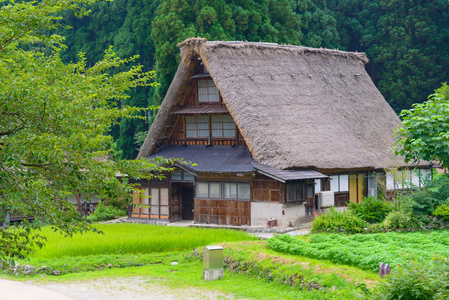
(406, 42)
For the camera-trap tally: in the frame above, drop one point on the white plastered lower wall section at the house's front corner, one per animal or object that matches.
(262, 211)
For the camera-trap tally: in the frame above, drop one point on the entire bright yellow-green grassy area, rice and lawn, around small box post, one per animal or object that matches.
(254, 272)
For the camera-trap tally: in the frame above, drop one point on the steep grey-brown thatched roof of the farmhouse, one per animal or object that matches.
(296, 107)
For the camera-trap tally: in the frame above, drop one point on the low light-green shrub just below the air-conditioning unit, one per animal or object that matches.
(335, 221)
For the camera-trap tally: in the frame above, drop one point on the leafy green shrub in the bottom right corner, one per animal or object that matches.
(415, 280)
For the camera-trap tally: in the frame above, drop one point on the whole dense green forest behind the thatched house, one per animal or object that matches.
(406, 41)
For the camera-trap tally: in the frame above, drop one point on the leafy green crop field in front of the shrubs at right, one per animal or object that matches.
(366, 251)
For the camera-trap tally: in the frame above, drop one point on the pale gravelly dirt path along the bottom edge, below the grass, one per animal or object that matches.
(127, 289)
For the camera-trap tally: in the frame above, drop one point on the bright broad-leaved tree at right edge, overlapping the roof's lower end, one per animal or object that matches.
(424, 133)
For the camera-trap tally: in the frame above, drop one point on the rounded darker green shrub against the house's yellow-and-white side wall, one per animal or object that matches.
(371, 209)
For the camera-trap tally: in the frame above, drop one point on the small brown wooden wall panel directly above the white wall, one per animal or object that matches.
(267, 190)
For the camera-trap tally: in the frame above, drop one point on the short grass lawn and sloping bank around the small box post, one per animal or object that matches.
(244, 282)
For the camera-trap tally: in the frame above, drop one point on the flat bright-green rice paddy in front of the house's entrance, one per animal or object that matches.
(134, 238)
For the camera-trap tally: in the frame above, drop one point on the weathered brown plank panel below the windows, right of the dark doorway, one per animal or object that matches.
(222, 212)
